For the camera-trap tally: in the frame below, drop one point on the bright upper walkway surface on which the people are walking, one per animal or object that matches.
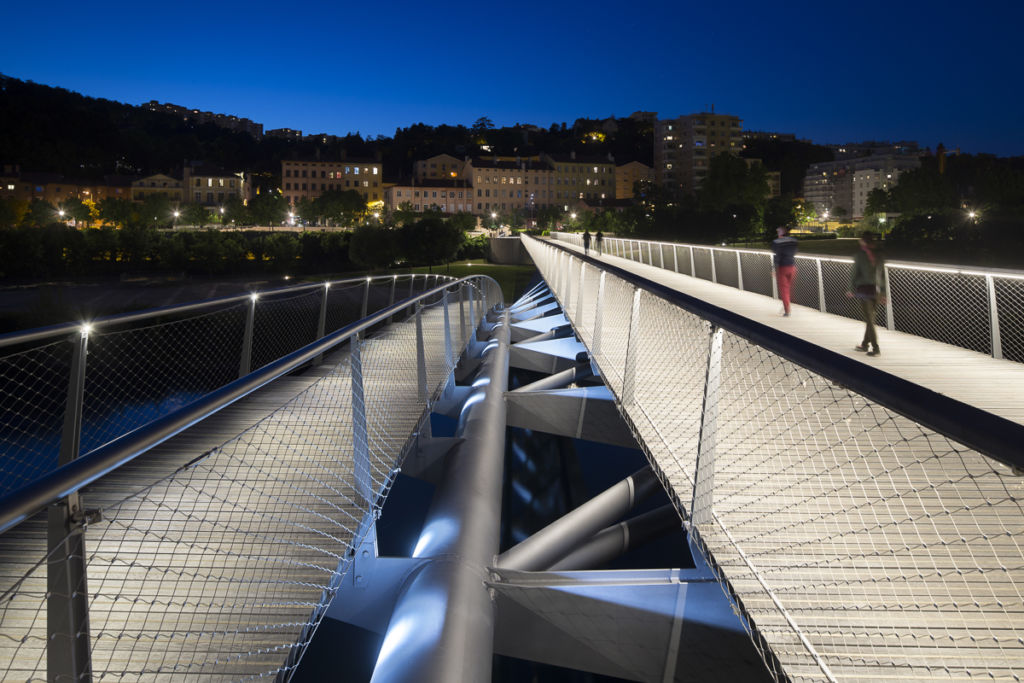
(990, 385)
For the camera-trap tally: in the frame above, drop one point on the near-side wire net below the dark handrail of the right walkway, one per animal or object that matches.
(858, 544)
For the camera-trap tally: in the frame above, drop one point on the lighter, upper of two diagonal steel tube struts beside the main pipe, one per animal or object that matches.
(560, 538)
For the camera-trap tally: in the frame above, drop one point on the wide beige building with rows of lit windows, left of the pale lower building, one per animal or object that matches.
(310, 180)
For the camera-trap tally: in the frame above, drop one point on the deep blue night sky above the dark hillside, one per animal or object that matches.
(931, 72)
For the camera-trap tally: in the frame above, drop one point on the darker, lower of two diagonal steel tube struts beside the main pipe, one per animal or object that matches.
(614, 542)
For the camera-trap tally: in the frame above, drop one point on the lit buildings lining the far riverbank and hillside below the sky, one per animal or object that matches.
(684, 148)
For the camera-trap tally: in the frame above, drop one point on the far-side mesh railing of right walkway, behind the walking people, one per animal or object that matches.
(975, 309)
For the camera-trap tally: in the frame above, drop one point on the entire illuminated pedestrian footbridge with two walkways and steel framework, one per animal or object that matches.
(190, 493)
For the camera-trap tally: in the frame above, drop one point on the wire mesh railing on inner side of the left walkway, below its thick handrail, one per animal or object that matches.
(217, 557)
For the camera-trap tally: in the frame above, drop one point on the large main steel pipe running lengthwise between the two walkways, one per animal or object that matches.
(442, 629)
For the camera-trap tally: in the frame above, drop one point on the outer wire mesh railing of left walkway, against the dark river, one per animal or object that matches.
(144, 366)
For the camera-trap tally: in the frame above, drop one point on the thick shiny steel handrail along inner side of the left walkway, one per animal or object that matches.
(65, 481)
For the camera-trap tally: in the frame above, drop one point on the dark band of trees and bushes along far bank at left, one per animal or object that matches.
(58, 250)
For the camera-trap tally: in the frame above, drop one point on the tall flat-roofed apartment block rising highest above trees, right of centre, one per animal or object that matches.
(685, 147)
